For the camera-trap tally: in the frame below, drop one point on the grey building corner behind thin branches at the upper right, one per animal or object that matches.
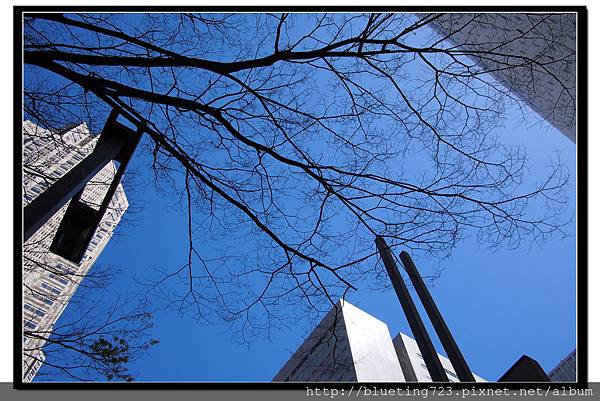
(531, 54)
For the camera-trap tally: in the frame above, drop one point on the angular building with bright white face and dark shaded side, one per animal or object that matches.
(359, 349)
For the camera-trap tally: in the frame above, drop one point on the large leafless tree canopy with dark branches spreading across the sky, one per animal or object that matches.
(292, 140)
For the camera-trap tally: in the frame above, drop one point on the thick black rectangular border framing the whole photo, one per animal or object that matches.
(581, 202)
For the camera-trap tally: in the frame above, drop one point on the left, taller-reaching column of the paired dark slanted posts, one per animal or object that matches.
(434, 365)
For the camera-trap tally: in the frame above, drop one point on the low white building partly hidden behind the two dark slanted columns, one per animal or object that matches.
(413, 364)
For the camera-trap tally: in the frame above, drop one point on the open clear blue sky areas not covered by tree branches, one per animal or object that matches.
(499, 305)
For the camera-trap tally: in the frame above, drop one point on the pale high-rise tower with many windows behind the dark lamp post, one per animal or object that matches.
(49, 281)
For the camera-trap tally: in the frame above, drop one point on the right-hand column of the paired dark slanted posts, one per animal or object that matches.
(458, 362)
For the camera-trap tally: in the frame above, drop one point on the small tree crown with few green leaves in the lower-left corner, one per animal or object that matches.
(95, 342)
